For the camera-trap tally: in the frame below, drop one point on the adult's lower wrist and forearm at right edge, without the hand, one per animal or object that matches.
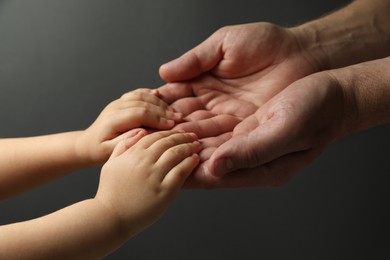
(367, 94)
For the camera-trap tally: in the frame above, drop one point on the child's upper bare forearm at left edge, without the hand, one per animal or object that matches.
(28, 162)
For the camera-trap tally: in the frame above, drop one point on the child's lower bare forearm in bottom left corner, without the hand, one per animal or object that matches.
(86, 230)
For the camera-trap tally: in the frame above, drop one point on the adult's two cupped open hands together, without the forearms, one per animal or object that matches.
(246, 92)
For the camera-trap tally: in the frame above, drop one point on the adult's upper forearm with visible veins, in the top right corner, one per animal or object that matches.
(356, 33)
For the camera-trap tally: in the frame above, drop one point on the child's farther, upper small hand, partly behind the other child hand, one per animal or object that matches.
(139, 108)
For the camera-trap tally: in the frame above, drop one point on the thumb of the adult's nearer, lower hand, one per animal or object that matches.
(269, 141)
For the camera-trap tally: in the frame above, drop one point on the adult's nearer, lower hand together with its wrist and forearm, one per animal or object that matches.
(290, 130)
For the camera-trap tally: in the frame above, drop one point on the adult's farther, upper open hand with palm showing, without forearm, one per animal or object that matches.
(231, 75)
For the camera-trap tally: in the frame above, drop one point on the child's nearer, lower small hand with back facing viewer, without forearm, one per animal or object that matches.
(140, 182)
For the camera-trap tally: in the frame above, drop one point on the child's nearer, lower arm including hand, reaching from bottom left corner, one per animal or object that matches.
(137, 184)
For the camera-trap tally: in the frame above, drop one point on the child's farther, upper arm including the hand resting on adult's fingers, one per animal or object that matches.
(28, 162)
